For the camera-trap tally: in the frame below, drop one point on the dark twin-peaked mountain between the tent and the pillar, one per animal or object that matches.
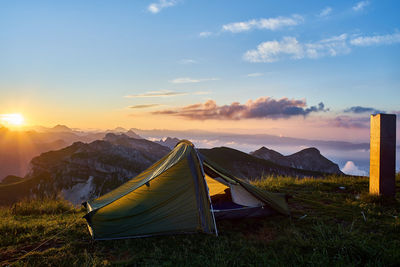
(306, 159)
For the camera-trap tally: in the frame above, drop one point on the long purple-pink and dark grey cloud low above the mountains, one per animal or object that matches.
(261, 108)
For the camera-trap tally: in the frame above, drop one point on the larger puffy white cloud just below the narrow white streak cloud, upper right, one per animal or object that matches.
(272, 51)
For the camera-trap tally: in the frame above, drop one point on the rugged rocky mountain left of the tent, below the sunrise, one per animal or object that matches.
(82, 171)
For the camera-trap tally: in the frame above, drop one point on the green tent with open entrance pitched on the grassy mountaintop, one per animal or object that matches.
(183, 192)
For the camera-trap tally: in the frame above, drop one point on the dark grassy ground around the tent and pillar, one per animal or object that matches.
(334, 222)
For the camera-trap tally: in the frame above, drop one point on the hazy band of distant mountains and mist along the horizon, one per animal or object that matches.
(21, 146)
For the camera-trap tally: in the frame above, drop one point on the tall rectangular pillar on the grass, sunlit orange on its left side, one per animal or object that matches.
(383, 155)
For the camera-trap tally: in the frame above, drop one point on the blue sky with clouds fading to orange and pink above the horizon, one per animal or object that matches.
(309, 69)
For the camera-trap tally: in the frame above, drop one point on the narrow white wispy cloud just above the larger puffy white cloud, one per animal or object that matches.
(269, 24)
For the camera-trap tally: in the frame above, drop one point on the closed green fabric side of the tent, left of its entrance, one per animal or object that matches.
(169, 197)
